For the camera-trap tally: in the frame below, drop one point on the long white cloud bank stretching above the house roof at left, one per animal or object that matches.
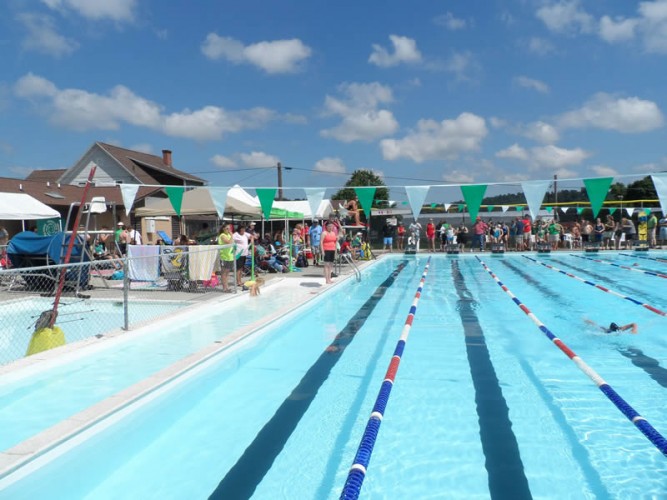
(82, 110)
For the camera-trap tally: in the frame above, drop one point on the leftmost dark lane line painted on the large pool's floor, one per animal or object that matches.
(242, 479)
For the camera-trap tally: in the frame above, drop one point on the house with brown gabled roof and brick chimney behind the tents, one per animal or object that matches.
(59, 188)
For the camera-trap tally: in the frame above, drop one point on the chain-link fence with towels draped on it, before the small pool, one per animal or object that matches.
(102, 296)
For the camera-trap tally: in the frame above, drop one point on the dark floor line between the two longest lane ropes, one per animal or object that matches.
(504, 467)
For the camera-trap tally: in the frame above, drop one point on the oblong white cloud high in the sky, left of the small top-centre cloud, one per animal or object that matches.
(279, 56)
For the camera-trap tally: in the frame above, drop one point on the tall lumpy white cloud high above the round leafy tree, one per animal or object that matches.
(361, 120)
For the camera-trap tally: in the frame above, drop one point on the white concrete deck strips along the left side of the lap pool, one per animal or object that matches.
(30, 454)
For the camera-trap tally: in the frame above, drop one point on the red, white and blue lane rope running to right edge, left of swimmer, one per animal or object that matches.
(640, 422)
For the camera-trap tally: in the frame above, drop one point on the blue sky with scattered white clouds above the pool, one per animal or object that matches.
(420, 92)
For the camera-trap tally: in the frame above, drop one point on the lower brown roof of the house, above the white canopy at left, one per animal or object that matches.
(65, 194)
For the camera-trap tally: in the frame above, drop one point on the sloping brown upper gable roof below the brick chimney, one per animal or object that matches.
(146, 167)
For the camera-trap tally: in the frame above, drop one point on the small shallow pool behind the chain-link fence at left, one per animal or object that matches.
(83, 318)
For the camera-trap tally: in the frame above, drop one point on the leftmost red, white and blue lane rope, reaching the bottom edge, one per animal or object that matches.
(355, 477)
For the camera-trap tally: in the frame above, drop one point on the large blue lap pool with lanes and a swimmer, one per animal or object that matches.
(483, 405)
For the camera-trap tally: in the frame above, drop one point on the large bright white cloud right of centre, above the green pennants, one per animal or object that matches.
(438, 140)
